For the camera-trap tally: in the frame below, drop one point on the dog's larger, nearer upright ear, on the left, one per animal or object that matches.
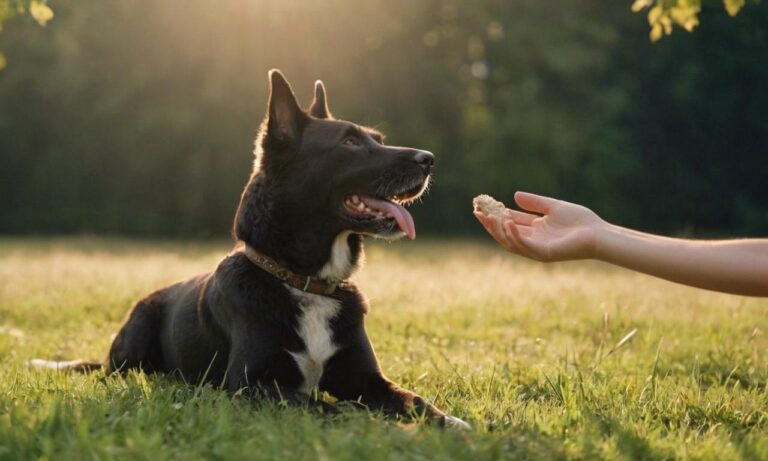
(284, 116)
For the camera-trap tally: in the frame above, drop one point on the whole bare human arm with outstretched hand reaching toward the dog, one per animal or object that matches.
(560, 231)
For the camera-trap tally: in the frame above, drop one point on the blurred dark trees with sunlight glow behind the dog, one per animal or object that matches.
(138, 118)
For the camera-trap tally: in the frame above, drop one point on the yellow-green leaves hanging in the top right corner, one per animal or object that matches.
(663, 14)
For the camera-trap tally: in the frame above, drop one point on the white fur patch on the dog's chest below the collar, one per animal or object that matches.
(315, 330)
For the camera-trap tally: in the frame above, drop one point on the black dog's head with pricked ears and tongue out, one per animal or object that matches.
(319, 176)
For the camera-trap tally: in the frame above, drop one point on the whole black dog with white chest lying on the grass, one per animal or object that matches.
(278, 315)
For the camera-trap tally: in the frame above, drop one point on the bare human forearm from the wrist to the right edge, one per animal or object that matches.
(731, 266)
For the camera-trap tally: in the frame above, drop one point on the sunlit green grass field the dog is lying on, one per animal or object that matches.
(525, 352)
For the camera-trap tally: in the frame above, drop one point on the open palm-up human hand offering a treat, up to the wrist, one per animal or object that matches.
(566, 231)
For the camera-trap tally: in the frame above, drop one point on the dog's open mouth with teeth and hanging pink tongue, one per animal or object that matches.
(381, 211)
